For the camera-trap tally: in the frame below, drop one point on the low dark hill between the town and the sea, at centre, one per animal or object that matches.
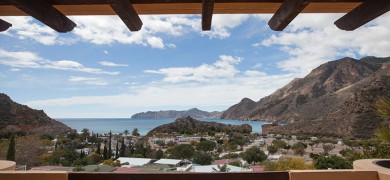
(190, 125)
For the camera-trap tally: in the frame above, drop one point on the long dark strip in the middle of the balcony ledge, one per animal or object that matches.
(179, 176)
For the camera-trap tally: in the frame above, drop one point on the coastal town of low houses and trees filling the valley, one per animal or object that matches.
(206, 151)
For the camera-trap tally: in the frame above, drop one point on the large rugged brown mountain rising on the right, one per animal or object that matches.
(335, 98)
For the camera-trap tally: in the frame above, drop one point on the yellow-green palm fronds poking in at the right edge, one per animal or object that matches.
(383, 108)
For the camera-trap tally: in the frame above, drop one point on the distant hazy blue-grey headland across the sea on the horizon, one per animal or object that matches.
(194, 112)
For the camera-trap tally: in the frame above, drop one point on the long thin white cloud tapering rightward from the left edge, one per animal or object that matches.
(26, 59)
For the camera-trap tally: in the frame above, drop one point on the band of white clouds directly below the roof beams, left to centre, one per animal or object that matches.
(103, 30)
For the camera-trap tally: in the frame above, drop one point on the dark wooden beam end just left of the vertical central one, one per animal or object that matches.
(127, 13)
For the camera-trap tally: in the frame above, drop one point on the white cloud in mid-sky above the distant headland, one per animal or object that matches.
(223, 68)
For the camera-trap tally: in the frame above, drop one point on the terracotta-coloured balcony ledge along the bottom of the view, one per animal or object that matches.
(363, 170)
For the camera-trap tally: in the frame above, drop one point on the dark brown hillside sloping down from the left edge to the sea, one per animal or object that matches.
(15, 117)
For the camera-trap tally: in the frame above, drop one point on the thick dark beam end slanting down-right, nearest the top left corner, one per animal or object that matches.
(46, 13)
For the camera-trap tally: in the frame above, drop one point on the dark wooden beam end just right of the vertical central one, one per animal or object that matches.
(286, 13)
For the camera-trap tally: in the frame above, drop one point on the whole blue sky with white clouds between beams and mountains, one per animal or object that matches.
(101, 69)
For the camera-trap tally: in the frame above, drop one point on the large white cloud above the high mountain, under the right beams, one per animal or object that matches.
(312, 39)
